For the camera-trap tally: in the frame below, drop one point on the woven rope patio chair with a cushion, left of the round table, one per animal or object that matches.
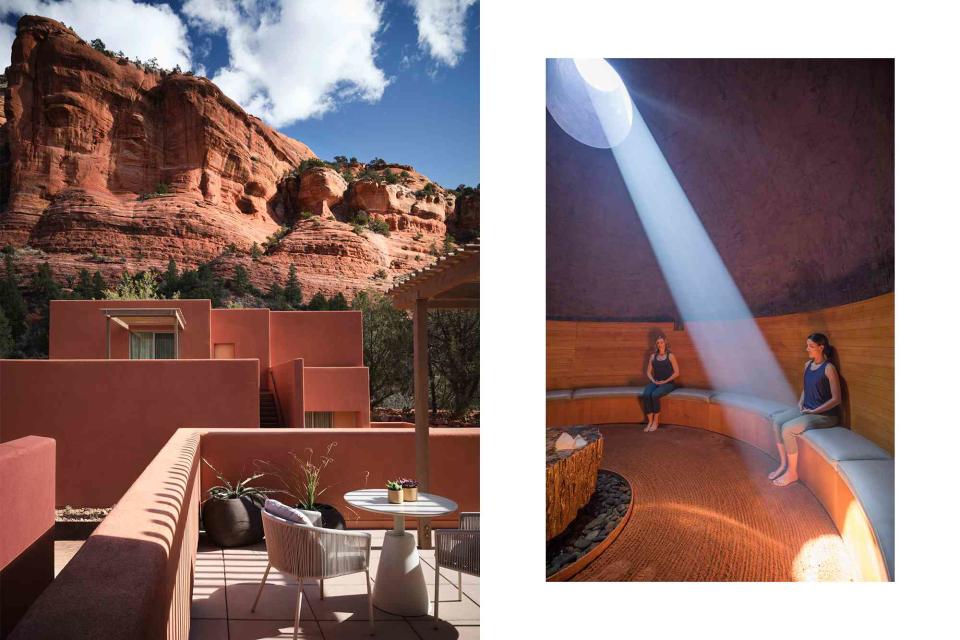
(307, 552)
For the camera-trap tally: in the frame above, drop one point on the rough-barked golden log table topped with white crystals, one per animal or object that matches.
(571, 476)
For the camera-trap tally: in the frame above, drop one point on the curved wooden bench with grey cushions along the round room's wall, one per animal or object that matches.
(851, 476)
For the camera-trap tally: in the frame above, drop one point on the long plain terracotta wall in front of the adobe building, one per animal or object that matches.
(110, 418)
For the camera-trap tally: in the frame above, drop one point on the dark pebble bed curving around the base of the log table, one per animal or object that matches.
(593, 524)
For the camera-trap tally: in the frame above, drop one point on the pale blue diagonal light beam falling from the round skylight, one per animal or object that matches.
(732, 349)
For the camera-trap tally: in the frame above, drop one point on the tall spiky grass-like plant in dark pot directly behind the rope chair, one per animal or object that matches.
(303, 484)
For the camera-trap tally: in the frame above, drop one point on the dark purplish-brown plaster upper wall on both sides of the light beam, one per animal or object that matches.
(788, 163)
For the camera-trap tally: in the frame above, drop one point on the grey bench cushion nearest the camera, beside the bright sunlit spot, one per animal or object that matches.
(872, 483)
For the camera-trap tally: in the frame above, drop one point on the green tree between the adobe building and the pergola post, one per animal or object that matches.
(387, 346)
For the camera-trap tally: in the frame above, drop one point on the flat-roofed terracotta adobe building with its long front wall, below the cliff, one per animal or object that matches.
(130, 373)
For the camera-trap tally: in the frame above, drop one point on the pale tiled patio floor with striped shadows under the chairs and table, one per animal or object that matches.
(226, 583)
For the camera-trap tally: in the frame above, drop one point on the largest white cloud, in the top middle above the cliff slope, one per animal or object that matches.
(295, 59)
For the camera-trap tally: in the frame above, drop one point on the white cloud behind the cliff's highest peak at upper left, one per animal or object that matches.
(139, 30)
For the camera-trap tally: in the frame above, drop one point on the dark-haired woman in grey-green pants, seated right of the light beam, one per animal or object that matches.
(819, 407)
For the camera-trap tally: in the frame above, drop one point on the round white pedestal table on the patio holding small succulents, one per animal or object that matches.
(400, 587)
